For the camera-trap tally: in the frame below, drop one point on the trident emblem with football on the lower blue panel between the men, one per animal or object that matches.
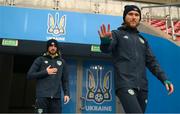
(98, 90)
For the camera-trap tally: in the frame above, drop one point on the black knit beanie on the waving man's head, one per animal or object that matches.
(129, 8)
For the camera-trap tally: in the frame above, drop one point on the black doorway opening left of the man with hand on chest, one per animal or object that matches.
(21, 98)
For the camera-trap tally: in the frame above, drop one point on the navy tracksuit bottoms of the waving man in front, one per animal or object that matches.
(133, 100)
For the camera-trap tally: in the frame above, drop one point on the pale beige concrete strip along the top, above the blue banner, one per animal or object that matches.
(109, 7)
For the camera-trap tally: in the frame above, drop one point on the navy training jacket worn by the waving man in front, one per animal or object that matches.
(131, 55)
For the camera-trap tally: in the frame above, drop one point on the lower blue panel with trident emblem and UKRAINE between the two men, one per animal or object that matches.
(98, 88)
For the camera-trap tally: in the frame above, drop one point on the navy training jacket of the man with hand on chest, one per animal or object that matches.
(49, 85)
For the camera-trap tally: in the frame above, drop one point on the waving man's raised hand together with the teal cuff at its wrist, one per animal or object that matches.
(105, 36)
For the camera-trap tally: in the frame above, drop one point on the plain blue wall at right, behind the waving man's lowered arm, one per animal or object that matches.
(168, 55)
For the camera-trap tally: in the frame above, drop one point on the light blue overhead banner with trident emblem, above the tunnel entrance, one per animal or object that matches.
(40, 25)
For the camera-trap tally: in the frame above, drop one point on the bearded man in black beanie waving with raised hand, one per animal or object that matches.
(131, 55)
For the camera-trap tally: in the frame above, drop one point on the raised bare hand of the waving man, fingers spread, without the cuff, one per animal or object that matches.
(103, 33)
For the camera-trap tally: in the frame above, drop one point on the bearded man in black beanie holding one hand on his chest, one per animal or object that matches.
(50, 72)
